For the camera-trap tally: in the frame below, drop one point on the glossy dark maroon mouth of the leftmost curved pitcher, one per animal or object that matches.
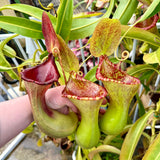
(44, 73)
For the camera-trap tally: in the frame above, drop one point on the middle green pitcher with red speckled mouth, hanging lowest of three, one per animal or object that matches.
(88, 97)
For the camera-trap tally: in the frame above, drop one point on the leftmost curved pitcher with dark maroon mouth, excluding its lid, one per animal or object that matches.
(37, 81)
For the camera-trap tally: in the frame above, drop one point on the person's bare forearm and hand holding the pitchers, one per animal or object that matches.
(16, 114)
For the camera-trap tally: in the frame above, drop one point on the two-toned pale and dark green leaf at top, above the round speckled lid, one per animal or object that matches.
(125, 10)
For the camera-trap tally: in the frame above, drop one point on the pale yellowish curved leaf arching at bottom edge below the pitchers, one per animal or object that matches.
(103, 148)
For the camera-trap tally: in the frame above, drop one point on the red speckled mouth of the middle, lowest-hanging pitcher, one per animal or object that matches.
(79, 88)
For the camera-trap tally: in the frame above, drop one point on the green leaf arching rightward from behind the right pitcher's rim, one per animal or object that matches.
(136, 70)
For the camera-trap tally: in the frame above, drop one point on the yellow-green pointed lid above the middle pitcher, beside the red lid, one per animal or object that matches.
(69, 61)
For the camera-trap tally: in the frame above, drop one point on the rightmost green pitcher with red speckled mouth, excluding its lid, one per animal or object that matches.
(121, 88)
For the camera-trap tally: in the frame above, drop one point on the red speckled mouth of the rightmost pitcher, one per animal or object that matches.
(107, 71)
